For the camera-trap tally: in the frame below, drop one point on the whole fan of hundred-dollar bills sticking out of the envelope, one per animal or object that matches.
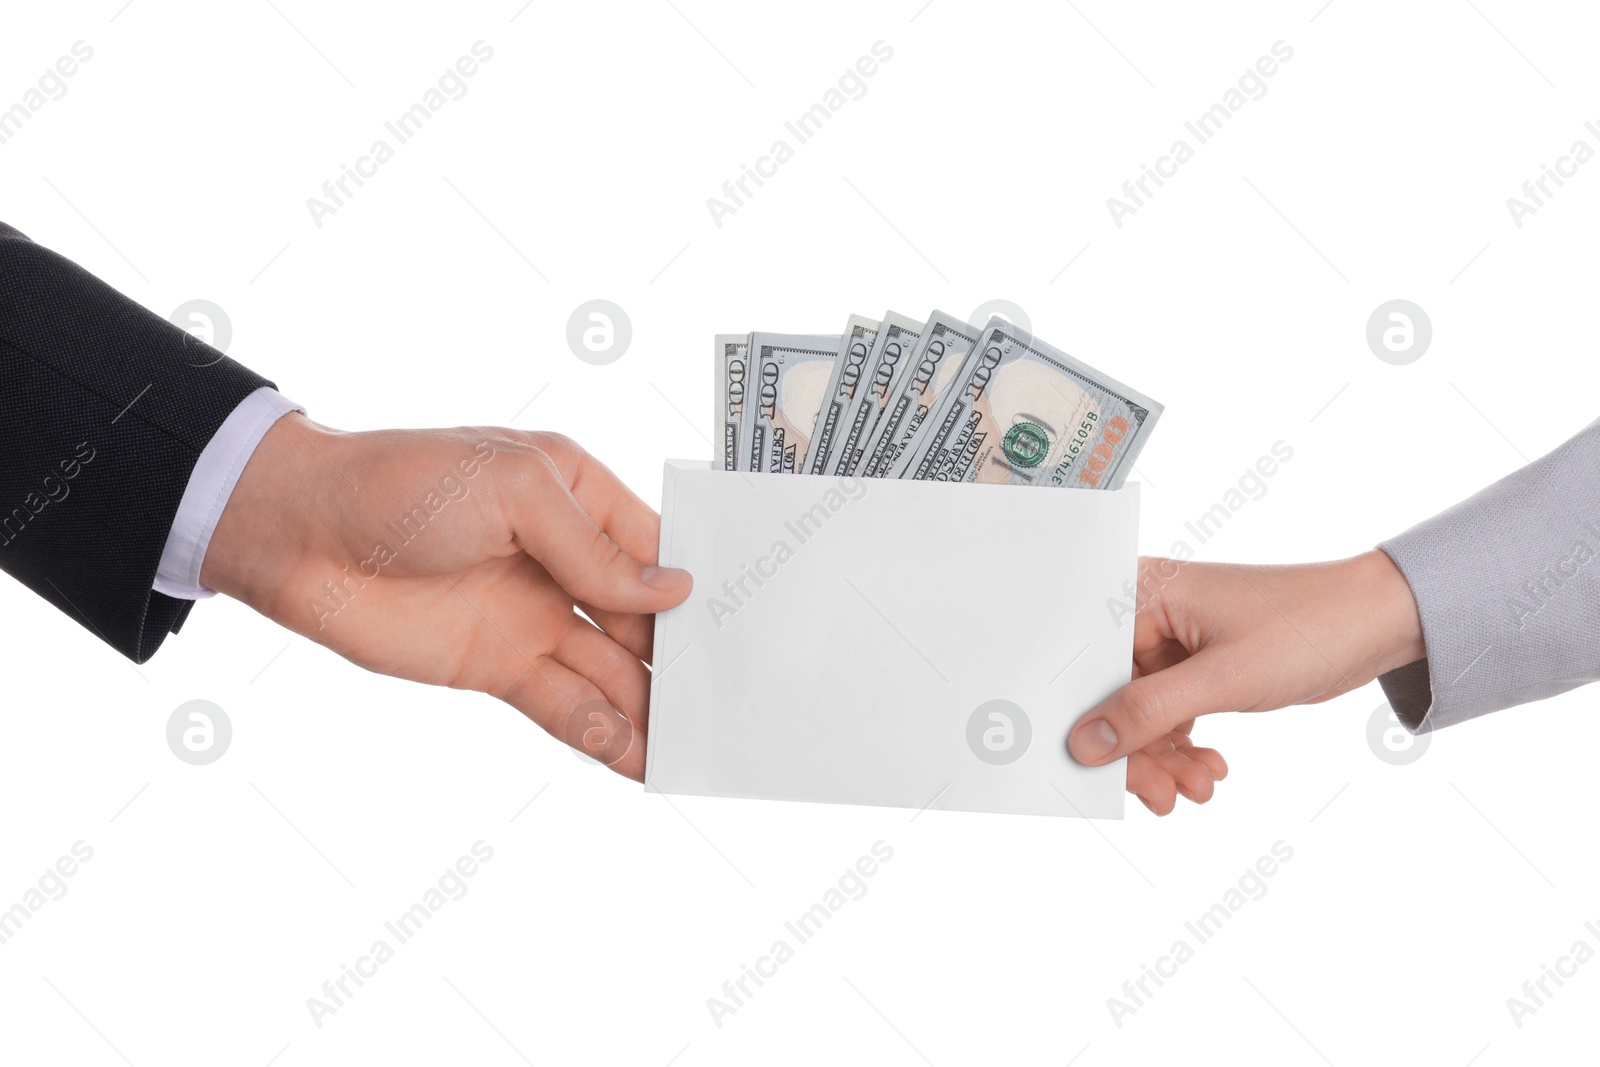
(937, 401)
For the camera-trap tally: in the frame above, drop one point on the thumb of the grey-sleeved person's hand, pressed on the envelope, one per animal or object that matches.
(1150, 708)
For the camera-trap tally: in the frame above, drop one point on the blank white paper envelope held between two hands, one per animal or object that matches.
(890, 642)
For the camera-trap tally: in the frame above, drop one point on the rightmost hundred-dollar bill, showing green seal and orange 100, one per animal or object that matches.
(1025, 414)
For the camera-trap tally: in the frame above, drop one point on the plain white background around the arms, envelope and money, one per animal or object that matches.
(977, 167)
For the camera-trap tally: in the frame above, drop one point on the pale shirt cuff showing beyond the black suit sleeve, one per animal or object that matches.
(210, 486)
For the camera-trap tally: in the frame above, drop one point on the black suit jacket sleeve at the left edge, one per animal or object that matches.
(105, 410)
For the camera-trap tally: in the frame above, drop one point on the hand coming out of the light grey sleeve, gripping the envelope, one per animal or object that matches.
(1223, 637)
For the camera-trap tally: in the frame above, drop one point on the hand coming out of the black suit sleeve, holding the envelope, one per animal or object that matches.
(458, 557)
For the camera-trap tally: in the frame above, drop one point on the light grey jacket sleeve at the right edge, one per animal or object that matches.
(1508, 586)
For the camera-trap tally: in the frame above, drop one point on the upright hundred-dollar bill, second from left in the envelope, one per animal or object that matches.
(791, 377)
